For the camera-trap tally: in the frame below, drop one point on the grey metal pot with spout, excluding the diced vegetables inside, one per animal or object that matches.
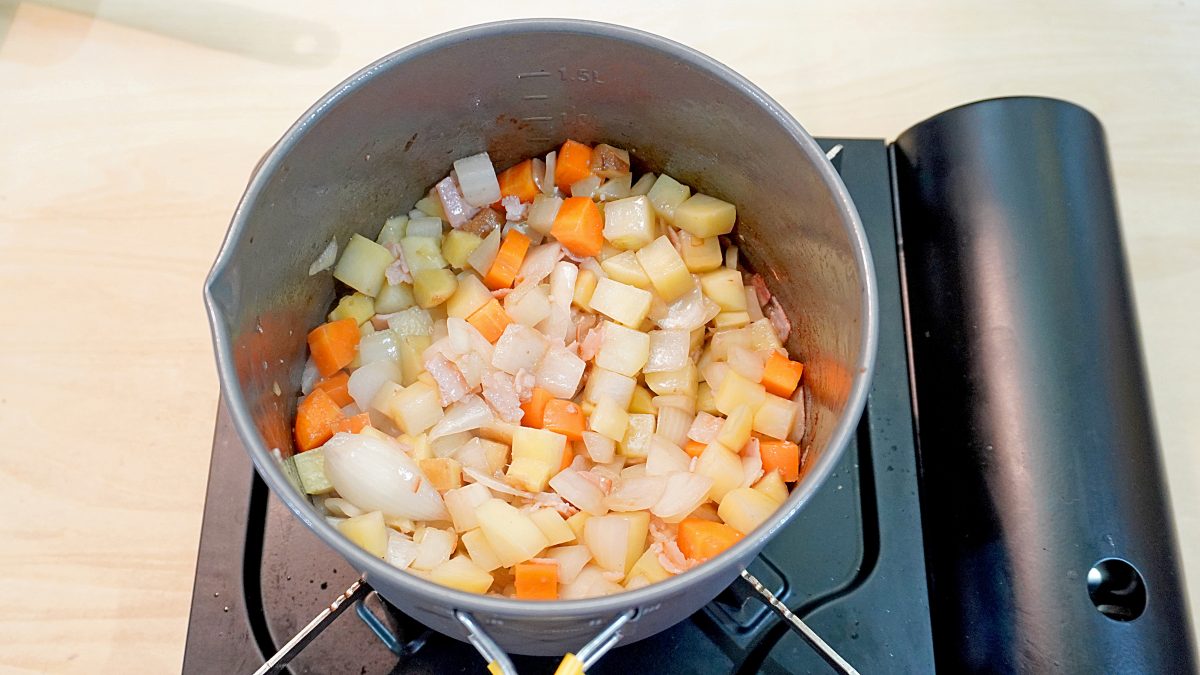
(379, 141)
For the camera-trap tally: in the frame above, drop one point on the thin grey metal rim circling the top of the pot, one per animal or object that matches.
(442, 596)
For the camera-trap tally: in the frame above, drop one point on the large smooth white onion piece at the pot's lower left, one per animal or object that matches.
(376, 475)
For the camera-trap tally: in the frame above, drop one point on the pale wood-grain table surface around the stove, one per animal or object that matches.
(129, 128)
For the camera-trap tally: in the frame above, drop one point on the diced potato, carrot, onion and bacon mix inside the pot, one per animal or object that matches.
(553, 383)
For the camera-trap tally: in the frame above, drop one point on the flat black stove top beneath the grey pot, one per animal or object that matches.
(851, 564)
